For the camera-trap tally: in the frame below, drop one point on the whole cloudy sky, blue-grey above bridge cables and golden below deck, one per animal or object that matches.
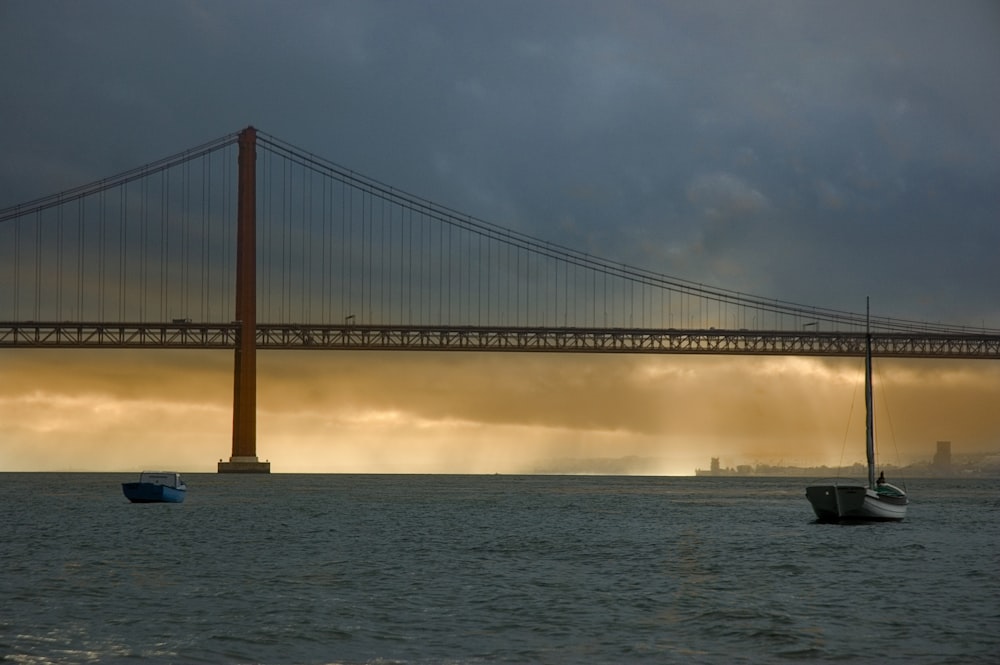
(814, 152)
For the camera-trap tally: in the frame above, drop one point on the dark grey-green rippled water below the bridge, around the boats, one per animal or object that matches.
(482, 569)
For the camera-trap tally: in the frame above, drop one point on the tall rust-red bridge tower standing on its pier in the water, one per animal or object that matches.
(244, 458)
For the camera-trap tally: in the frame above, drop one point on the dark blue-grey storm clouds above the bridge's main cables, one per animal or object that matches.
(817, 152)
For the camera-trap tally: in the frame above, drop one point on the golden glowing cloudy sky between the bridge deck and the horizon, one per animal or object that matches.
(429, 412)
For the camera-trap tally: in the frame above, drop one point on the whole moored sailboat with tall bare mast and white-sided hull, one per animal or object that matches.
(878, 501)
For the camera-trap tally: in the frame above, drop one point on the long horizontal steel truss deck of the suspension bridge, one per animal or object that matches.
(494, 339)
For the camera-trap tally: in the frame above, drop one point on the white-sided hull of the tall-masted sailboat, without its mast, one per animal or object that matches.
(857, 503)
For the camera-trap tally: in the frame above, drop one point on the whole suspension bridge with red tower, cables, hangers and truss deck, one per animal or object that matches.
(248, 243)
